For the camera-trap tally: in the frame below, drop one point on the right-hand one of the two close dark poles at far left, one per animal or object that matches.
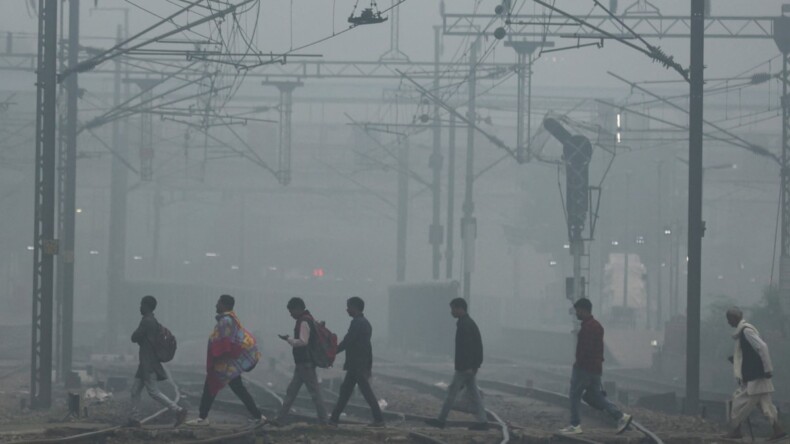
(67, 198)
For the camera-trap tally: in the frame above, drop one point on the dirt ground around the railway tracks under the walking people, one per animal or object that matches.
(532, 421)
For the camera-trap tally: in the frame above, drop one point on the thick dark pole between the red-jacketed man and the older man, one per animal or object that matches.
(695, 222)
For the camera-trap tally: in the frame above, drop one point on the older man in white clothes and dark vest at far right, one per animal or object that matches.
(753, 371)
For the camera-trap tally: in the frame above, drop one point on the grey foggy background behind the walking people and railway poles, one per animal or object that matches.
(210, 222)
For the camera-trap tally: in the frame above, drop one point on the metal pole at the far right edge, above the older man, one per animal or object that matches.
(782, 38)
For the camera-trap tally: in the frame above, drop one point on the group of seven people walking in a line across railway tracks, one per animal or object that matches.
(232, 350)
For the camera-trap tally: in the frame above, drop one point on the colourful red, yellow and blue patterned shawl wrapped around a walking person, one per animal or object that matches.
(231, 351)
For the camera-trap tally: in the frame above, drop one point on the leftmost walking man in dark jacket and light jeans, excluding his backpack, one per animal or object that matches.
(150, 369)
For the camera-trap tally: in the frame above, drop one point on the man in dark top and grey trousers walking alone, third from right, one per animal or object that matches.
(468, 358)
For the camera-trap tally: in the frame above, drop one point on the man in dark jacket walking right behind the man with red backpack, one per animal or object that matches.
(359, 363)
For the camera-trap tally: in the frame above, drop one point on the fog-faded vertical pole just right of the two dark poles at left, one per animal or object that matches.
(116, 265)
